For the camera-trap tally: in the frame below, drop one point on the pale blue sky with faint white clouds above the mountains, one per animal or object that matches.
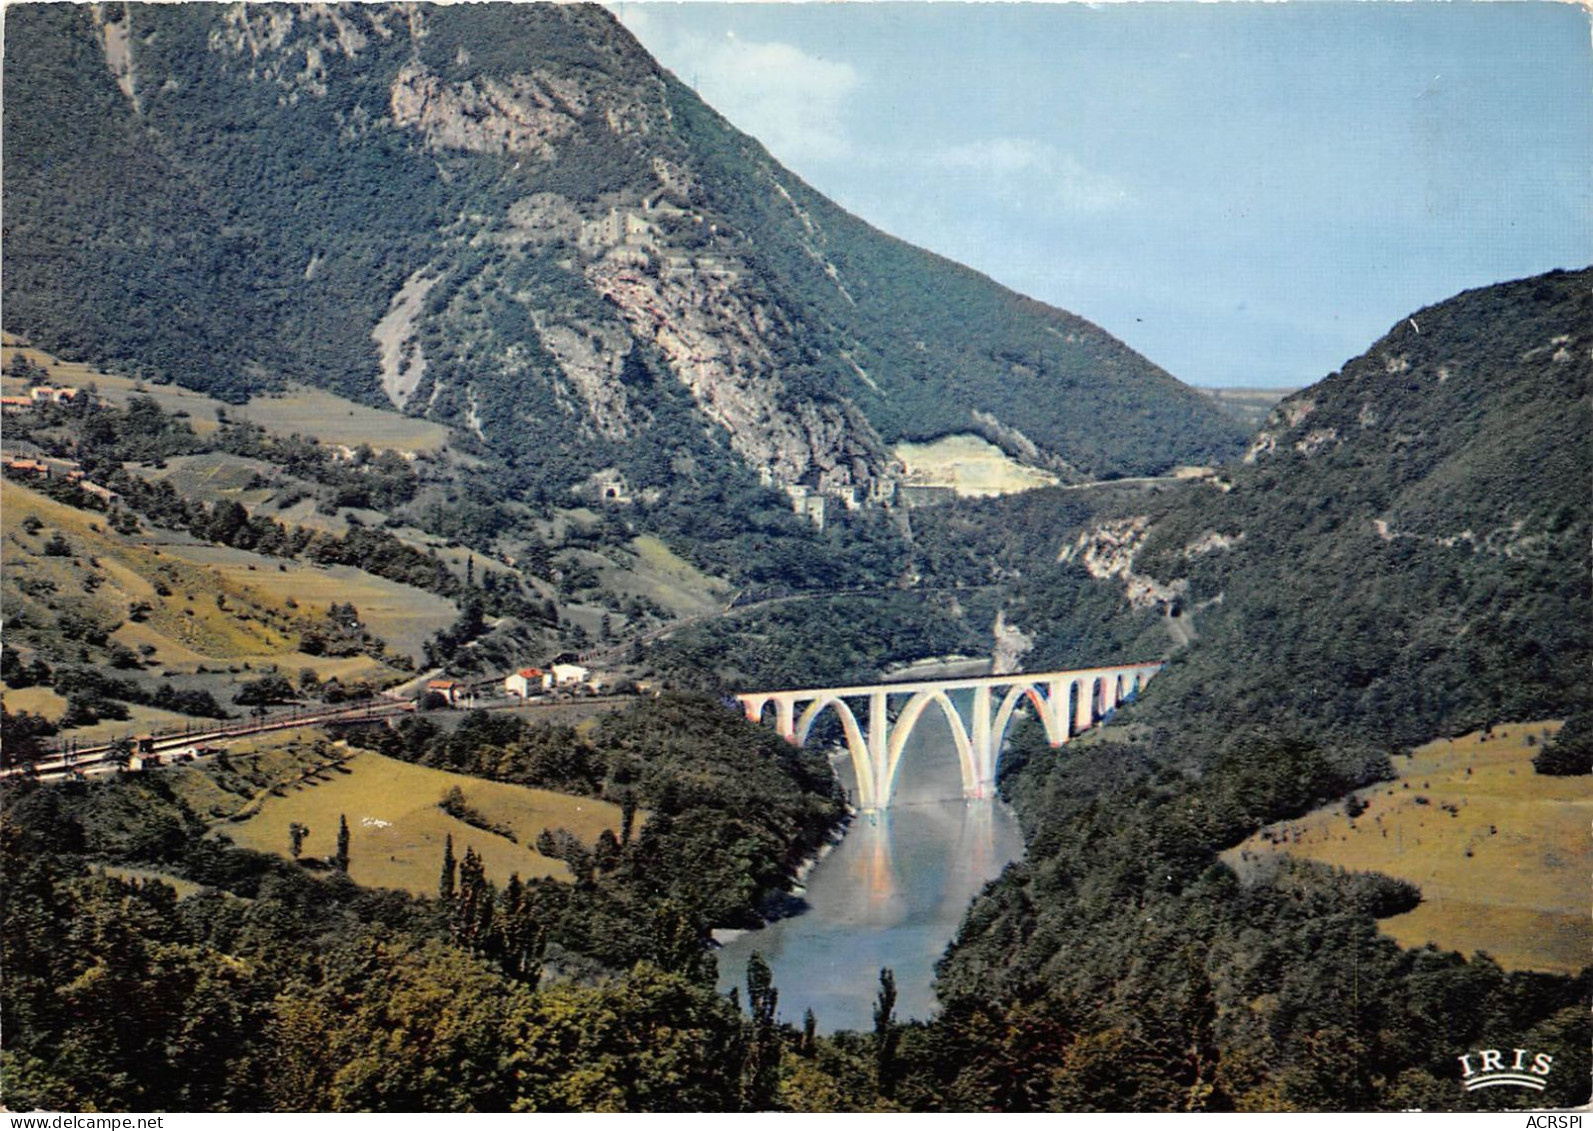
(1248, 194)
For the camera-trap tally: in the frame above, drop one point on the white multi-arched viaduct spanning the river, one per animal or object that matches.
(1067, 705)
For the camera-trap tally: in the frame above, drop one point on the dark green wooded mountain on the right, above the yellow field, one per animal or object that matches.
(1404, 550)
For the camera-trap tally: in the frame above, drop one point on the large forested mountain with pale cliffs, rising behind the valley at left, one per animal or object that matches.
(509, 219)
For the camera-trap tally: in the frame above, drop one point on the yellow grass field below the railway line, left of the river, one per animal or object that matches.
(397, 829)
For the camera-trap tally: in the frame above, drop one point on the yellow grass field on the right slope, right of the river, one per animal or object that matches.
(1501, 853)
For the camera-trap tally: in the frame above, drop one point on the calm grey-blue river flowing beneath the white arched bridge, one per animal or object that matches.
(891, 894)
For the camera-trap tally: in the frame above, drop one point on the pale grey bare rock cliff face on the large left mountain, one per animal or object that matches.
(673, 281)
